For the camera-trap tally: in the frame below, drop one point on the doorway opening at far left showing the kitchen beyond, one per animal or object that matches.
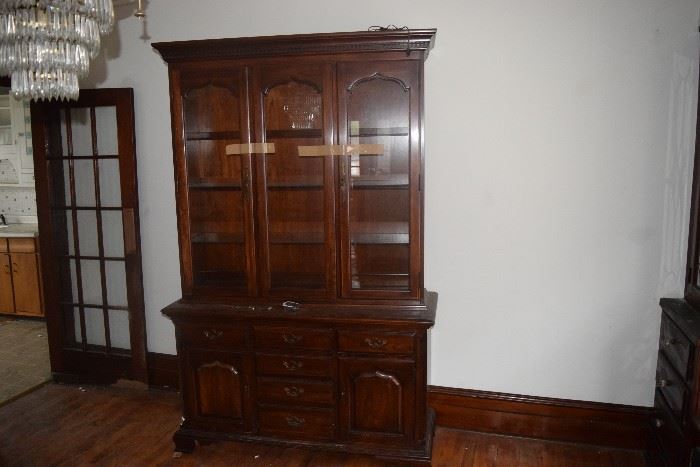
(24, 348)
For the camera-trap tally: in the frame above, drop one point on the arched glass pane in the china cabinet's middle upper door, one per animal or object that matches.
(296, 235)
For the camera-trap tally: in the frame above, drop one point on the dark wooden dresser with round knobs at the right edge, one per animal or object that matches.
(677, 398)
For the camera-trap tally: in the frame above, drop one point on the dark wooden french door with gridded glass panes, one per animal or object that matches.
(89, 230)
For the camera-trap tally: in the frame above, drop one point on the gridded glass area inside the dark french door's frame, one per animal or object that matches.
(88, 235)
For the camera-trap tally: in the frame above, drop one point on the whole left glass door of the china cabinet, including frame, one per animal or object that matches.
(219, 246)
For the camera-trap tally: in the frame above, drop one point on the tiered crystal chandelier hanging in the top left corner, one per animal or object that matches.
(46, 45)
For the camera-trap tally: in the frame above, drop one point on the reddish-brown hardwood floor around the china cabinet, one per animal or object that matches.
(109, 426)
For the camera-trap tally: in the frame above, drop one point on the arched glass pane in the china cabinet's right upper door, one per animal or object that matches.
(378, 115)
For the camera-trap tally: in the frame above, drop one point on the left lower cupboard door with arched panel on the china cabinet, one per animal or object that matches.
(217, 390)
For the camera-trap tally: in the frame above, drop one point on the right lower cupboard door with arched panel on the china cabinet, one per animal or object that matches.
(378, 400)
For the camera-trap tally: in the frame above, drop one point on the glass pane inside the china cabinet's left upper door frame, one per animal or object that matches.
(217, 191)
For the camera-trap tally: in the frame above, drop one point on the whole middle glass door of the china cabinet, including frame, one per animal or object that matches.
(295, 193)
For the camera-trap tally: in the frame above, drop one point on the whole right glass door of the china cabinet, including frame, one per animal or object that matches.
(379, 179)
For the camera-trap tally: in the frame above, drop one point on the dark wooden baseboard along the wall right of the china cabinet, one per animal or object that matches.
(620, 426)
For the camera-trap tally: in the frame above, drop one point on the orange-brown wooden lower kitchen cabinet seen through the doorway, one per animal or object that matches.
(20, 283)
